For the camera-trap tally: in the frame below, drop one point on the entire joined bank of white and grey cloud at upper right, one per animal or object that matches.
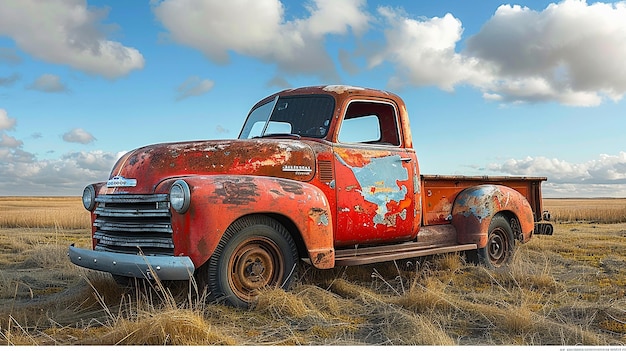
(570, 52)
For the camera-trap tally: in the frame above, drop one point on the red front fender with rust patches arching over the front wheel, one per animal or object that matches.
(217, 201)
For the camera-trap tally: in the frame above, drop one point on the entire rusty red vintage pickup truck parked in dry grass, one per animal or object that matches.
(324, 175)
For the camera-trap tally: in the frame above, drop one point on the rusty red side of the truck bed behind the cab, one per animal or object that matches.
(439, 191)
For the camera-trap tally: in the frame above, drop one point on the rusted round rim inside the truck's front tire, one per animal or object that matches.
(255, 263)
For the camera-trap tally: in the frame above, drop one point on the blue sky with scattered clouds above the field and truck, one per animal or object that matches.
(529, 88)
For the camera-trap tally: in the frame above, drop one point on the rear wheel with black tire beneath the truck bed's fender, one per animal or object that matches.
(500, 244)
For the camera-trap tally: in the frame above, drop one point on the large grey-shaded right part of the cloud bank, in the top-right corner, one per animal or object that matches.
(571, 52)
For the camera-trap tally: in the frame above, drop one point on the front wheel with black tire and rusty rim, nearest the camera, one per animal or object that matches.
(255, 252)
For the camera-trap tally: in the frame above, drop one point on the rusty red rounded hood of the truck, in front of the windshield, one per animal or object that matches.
(150, 165)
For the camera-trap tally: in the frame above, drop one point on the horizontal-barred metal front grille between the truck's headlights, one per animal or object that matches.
(134, 224)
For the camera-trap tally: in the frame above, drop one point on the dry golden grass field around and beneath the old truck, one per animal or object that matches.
(564, 289)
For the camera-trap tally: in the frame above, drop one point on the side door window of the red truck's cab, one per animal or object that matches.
(370, 122)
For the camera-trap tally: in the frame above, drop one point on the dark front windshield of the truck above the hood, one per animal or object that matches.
(304, 116)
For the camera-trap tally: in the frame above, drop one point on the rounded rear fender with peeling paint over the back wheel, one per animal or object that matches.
(474, 208)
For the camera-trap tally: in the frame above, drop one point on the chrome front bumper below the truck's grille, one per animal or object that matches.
(165, 267)
